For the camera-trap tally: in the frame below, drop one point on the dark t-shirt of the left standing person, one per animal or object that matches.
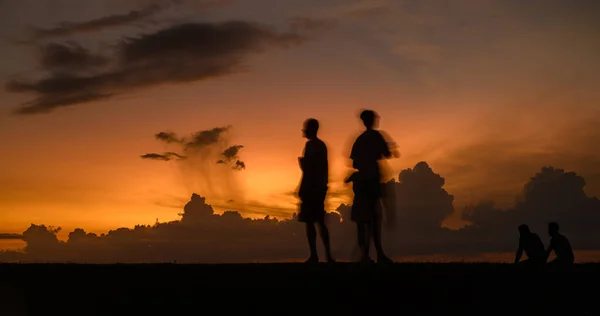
(315, 169)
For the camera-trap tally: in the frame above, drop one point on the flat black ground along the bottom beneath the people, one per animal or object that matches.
(292, 289)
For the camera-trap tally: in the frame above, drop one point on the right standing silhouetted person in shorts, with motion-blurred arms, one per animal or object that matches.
(367, 150)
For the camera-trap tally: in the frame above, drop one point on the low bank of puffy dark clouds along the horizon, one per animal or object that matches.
(421, 204)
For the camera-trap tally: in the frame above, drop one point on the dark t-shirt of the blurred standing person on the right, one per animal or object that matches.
(367, 150)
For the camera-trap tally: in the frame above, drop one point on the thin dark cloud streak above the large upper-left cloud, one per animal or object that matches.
(115, 20)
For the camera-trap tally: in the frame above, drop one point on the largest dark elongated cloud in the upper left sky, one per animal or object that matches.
(177, 54)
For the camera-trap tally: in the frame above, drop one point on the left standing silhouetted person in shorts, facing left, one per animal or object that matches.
(313, 189)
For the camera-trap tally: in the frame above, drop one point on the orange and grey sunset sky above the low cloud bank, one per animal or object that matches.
(486, 91)
